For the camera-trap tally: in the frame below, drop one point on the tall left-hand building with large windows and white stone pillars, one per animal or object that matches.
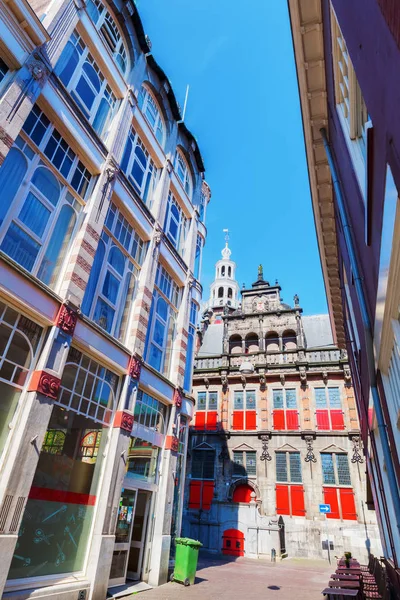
(102, 212)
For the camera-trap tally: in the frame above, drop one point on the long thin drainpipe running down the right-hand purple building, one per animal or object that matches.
(367, 331)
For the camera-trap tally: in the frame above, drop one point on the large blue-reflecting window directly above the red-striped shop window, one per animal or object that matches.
(111, 287)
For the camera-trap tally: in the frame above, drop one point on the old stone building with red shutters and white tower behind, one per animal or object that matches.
(275, 434)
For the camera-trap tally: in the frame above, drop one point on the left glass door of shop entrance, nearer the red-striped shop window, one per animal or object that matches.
(123, 533)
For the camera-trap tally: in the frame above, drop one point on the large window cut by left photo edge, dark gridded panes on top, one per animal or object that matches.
(39, 211)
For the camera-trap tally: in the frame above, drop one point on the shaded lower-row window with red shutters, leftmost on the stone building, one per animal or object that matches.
(201, 489)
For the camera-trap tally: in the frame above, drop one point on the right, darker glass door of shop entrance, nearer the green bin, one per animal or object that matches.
(138, 539)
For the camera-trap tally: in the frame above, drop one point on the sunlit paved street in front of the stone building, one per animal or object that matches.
(247, 579)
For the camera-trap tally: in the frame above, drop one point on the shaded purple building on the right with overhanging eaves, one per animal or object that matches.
(346, 55)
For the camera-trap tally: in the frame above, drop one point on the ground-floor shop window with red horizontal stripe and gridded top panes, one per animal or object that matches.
(55, 531)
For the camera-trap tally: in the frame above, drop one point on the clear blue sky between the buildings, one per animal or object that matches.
(244, 110)
